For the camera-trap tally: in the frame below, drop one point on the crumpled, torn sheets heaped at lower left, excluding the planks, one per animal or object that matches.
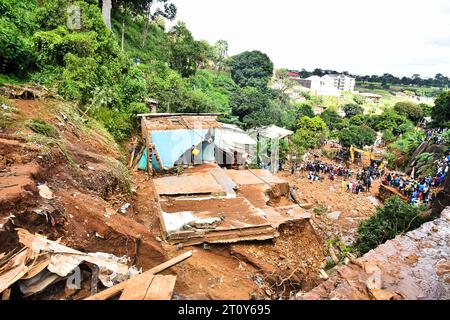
(43, 262)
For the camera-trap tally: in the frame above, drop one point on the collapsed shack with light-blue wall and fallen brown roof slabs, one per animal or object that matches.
(211, 200)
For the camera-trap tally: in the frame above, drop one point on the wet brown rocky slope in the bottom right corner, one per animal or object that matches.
(413, 266)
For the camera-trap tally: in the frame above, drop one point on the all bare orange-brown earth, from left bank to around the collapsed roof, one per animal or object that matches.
(88, 193)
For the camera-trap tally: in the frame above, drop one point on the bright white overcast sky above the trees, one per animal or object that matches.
(401, 37)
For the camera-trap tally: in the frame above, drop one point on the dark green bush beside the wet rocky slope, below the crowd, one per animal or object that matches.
(394, 218)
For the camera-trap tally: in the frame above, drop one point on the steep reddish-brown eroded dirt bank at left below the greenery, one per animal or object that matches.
(84, 182)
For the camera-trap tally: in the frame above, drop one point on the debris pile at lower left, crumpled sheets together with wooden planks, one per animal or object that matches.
(42, 263)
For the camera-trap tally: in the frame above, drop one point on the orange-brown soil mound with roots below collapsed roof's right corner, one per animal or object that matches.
(289, 264)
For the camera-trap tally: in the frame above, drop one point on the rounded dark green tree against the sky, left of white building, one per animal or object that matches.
(251, 68)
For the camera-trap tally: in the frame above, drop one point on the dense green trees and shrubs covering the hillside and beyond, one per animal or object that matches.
(85, 63)
